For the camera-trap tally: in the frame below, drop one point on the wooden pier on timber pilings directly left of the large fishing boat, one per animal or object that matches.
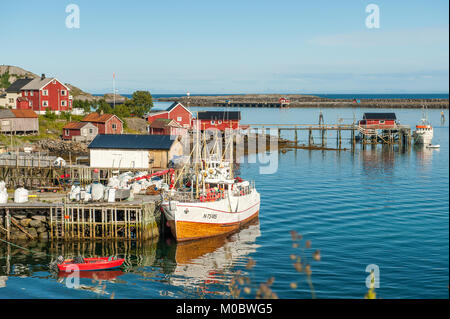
(135, 220)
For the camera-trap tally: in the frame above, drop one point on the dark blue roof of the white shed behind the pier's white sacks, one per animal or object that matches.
(132, 141)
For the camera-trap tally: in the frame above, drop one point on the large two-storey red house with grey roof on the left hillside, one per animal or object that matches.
(46, 93)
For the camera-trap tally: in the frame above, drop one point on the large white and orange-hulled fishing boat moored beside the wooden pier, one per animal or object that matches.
(212, 202)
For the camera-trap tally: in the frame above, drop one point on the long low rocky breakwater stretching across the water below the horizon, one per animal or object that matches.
(299, 101)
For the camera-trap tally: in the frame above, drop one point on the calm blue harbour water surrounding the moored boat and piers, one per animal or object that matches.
(378, 206)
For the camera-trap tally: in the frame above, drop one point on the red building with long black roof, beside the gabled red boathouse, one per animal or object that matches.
(220, 120)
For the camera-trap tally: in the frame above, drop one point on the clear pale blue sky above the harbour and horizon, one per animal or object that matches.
(232, 46)
